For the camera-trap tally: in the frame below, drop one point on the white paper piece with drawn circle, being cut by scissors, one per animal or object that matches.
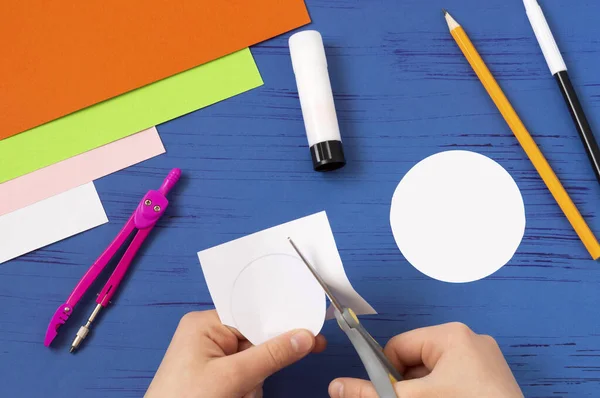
(260, 286)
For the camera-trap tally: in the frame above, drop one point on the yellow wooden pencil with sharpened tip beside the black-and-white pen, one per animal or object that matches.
(531, 149)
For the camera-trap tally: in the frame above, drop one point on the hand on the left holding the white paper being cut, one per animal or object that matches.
(206, 359)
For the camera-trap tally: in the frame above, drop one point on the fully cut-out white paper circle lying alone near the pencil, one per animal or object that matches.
(458, 216)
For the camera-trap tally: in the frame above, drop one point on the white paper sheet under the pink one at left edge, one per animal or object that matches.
(49, 221)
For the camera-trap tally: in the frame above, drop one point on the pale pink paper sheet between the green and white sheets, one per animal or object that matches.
(78, 170)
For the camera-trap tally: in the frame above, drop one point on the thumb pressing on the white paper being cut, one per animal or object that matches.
(259, 362)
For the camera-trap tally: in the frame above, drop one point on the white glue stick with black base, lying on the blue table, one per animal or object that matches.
(316, 99)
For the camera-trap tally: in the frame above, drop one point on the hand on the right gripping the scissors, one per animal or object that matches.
(441, 361)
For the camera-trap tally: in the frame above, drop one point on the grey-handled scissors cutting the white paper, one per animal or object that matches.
(381, 372)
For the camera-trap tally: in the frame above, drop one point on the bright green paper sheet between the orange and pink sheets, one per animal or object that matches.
(128, 114)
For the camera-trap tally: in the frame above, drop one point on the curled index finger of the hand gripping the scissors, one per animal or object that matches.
(425, 346)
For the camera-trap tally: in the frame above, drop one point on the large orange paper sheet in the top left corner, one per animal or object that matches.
(59, 57)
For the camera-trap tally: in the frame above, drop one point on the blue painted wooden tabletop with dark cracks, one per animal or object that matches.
(403, 92)
